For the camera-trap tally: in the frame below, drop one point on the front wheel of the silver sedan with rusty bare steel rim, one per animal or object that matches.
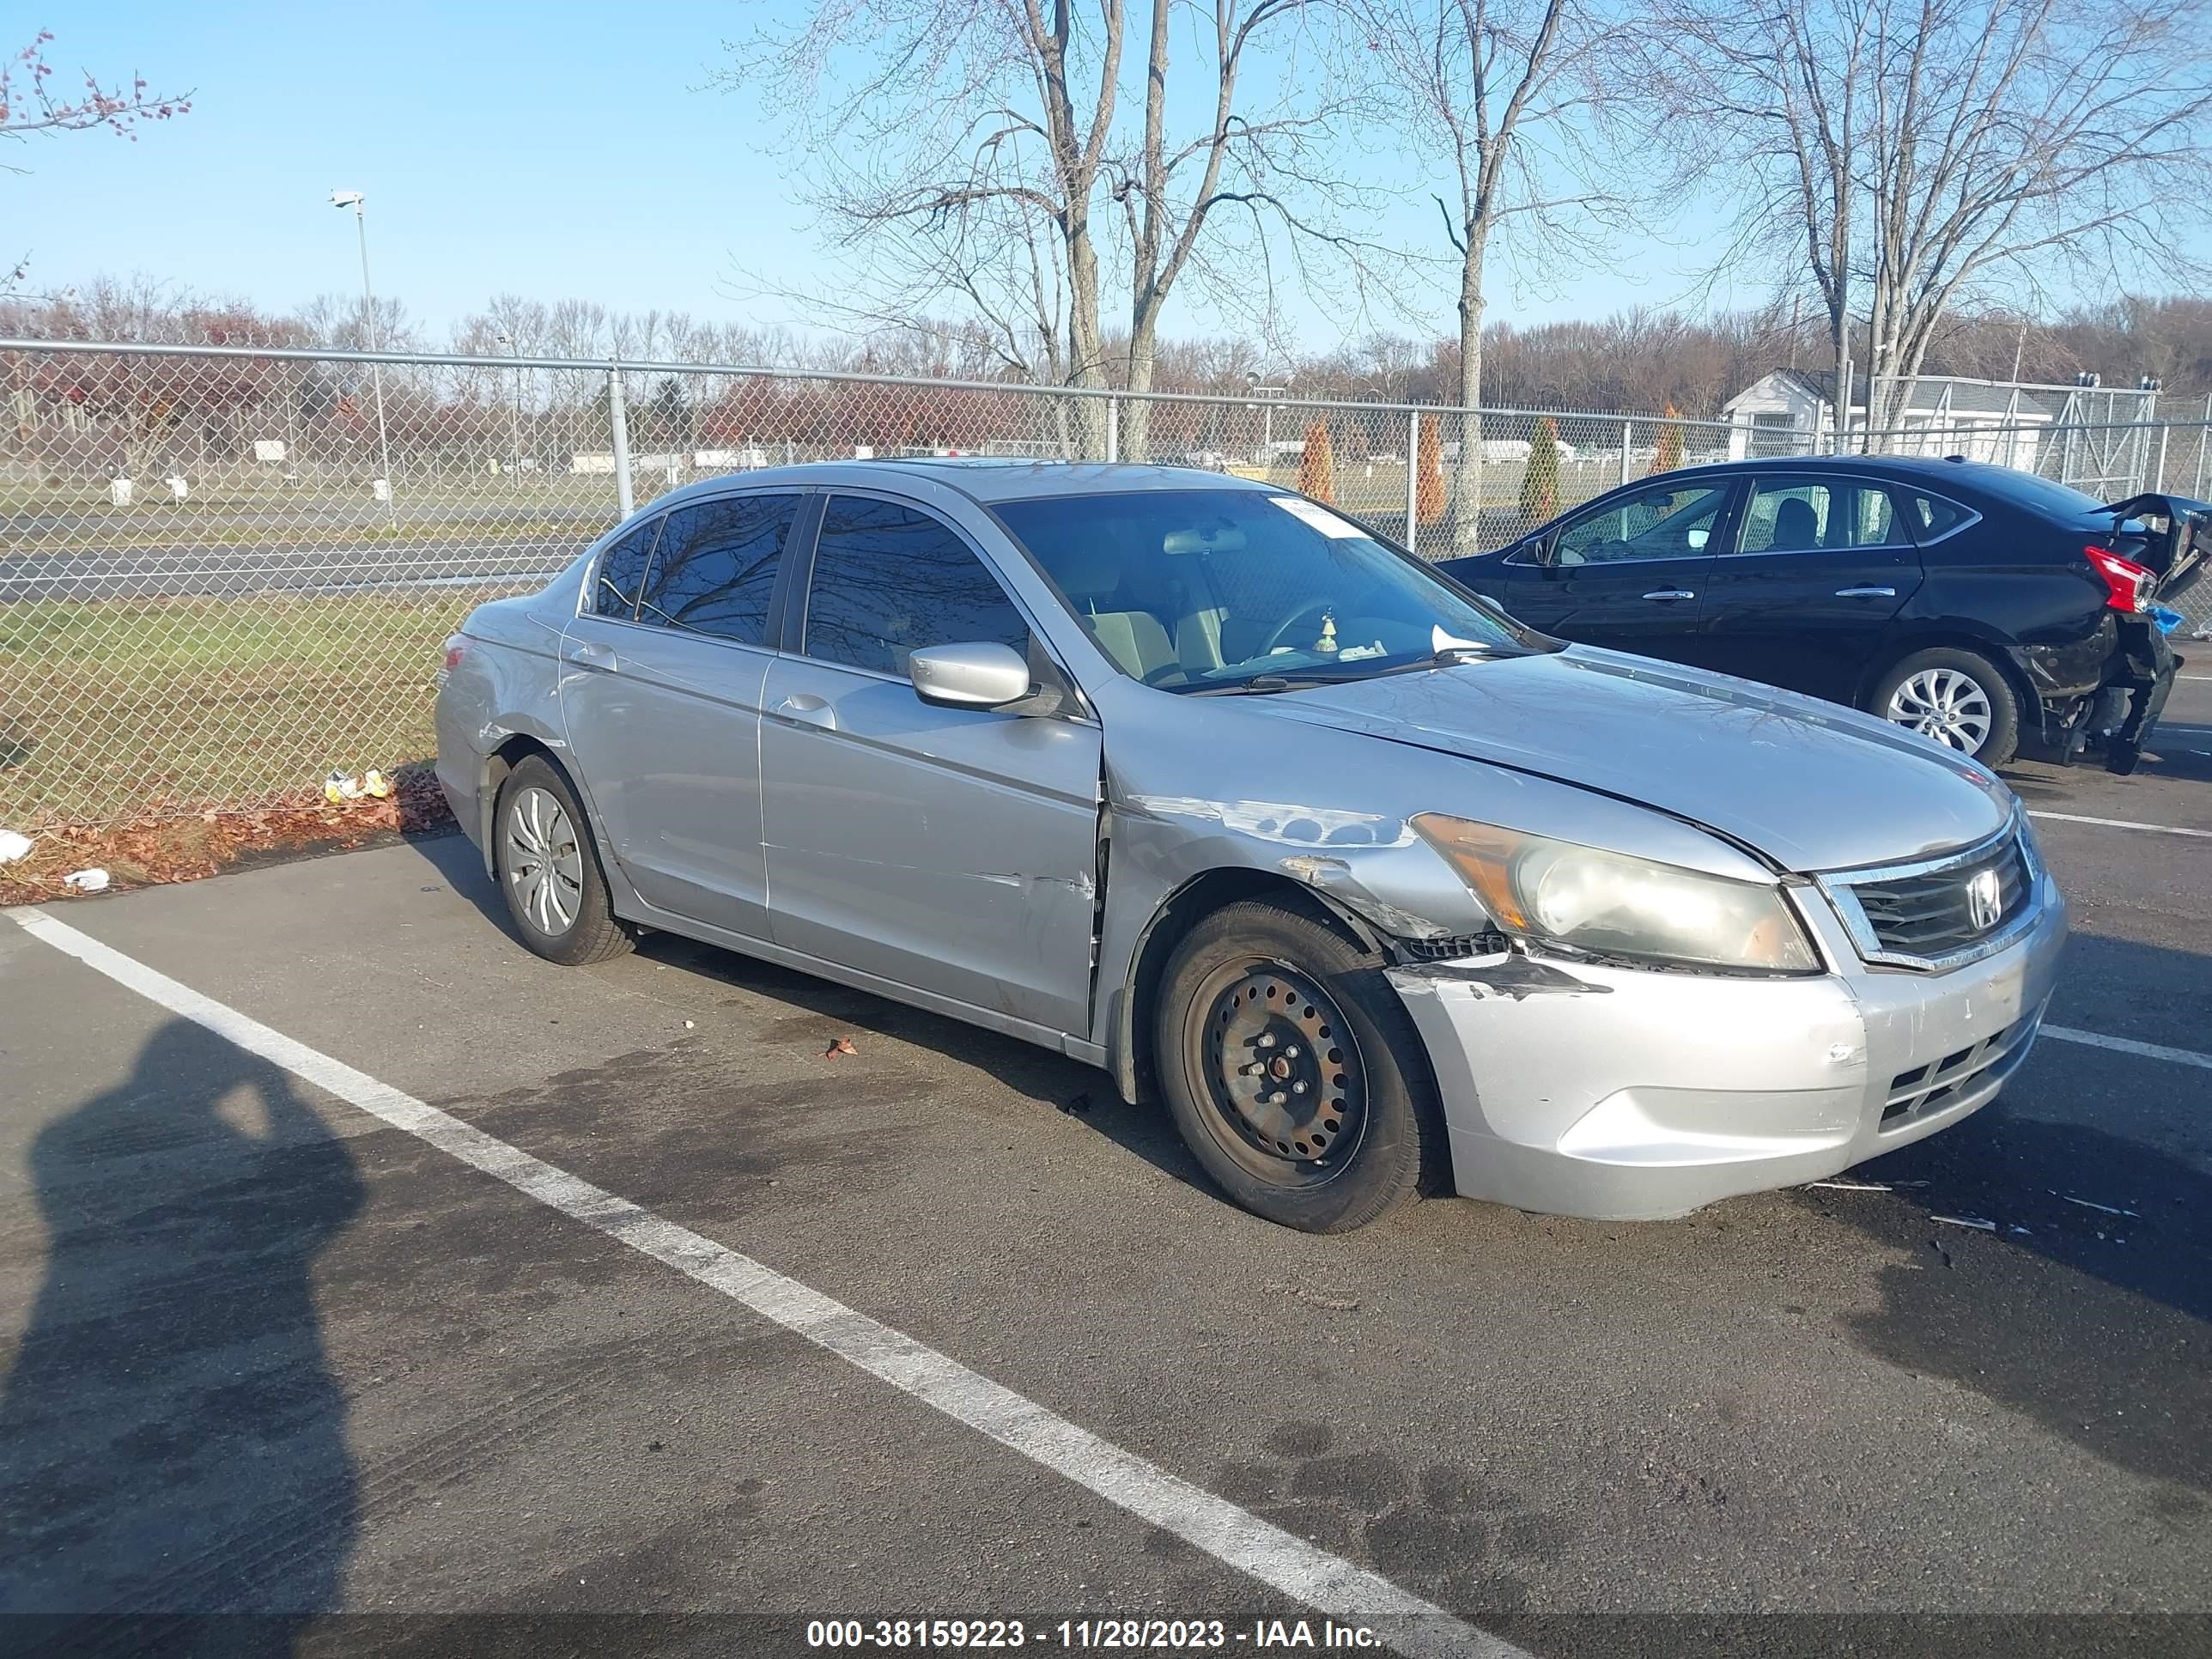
(1293, 1070)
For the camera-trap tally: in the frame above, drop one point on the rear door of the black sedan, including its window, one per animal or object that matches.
(1811, 587)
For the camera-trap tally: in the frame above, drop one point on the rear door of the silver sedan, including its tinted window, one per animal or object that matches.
(662, 707)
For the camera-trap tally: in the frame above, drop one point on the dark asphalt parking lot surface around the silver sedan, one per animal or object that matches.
(284, 1346)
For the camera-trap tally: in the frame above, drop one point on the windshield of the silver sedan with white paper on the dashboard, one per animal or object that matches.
(1218, 589)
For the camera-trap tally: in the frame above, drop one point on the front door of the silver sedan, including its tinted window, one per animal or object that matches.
(939, 848)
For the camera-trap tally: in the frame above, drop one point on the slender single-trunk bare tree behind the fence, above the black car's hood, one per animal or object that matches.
(1516, 96)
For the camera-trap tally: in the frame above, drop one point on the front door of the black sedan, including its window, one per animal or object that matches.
(1627, 574)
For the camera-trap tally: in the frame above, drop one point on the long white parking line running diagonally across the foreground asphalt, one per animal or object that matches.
(1145, 1490)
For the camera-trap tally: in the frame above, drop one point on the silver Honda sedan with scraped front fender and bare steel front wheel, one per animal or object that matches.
(1198, 782)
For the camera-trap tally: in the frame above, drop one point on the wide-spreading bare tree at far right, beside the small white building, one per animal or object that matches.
(1930, 154)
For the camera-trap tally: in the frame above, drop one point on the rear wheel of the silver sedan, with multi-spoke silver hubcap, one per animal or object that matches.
(550, 868)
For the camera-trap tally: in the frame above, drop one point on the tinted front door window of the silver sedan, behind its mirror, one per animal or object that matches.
(890, 581)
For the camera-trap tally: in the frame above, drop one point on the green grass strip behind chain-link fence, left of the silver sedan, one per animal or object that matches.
(163, 707)
